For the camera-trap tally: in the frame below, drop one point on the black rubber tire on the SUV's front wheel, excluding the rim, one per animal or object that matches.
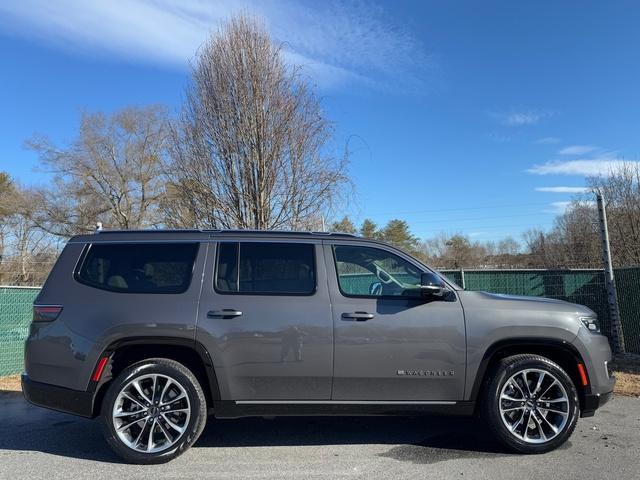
(502, 372)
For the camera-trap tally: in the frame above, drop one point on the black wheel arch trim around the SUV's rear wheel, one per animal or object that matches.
(124, 352)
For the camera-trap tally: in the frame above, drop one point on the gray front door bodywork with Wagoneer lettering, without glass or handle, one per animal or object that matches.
(411, 350)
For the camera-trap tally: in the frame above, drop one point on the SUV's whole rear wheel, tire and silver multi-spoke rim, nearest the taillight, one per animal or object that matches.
(153, 411)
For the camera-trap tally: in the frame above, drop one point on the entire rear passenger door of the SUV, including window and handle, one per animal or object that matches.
(265, 318)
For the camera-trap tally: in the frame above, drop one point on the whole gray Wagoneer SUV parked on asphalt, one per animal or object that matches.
(153, 330)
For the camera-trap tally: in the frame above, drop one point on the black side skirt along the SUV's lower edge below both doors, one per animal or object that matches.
(238, 409)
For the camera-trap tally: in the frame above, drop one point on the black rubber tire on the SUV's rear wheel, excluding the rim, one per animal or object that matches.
(196, 401)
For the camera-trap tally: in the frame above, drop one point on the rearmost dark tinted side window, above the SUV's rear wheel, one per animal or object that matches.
(139, 267)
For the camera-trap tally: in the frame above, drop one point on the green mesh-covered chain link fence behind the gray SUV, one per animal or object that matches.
(586, 287)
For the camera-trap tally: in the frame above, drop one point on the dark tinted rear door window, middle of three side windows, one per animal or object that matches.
(266, 268)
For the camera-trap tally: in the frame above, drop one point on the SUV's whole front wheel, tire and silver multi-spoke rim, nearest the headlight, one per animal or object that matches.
(531, 404)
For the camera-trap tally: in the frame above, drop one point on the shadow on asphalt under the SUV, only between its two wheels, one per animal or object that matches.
(422, 439)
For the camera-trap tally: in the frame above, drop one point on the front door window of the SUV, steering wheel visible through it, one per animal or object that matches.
(373, 272)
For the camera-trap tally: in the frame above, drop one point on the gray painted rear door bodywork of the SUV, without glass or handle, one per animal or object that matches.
(280, 348)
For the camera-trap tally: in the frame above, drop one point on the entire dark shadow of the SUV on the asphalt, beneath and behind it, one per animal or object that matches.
(414, 439)
